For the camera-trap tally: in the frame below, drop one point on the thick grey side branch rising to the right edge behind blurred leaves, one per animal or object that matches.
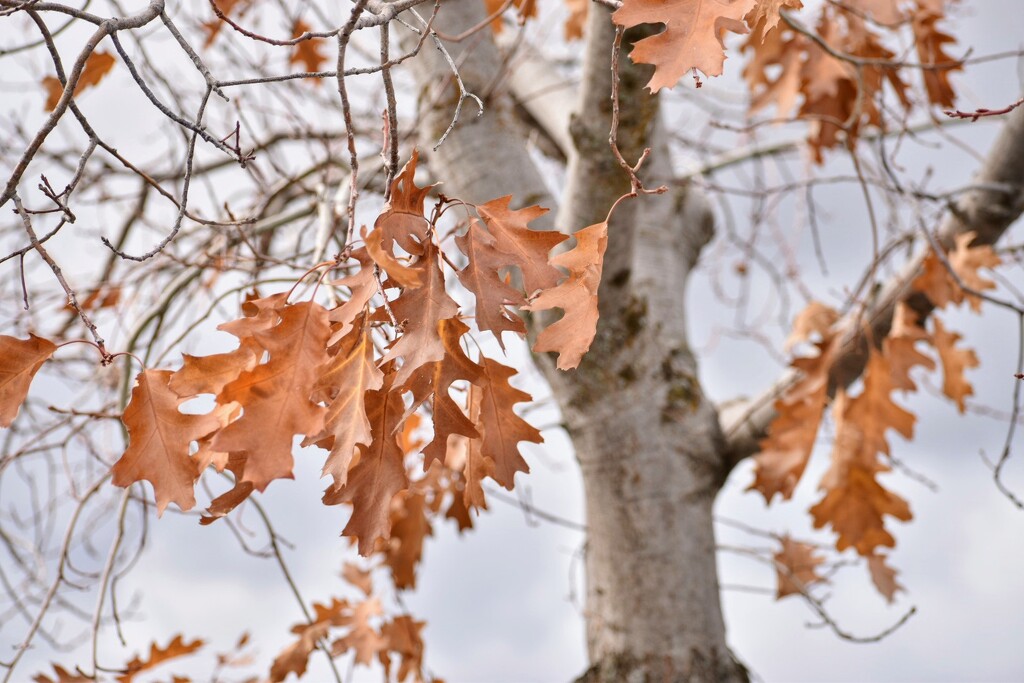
(989, 210)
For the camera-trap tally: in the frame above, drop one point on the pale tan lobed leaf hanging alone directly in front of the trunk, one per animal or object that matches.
(573, 335)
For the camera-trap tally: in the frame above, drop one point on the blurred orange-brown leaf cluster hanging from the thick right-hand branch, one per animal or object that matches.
(856, 504)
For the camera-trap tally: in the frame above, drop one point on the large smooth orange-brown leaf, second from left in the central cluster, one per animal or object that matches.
(276, 396)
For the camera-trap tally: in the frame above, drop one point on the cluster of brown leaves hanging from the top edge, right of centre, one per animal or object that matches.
(837, 72)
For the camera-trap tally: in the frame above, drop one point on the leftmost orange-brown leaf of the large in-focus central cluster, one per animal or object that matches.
(159, 440)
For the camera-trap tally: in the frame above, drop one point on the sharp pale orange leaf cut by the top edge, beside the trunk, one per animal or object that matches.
(693, 37)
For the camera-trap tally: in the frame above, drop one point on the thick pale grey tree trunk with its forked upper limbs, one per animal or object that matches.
(647, 438)
